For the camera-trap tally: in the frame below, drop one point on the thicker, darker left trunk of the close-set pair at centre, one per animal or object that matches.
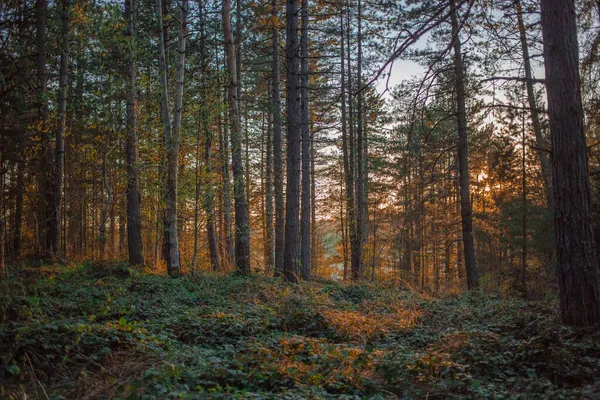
(291, 254)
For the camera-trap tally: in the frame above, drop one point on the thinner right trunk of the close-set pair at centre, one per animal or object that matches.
(305, 247)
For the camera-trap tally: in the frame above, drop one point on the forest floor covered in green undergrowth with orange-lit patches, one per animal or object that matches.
(93, 332)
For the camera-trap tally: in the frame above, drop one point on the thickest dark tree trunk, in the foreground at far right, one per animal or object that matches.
(575, 246)
